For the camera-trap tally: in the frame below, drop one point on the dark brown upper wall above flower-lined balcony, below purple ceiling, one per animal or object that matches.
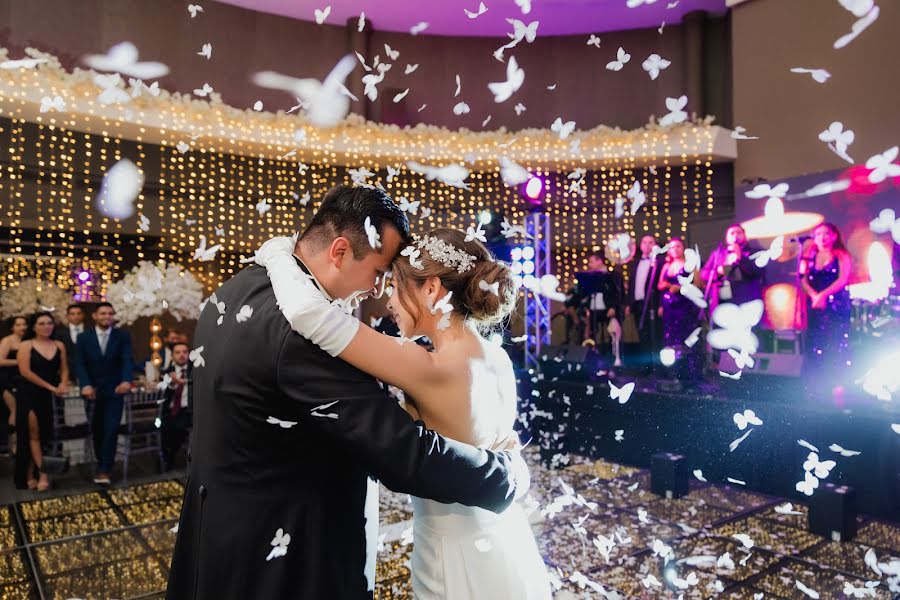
(245, 41)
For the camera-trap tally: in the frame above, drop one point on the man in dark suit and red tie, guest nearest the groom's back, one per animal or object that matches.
(177, 408)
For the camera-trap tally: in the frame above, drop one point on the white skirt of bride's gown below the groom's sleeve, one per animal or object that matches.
(466, 553)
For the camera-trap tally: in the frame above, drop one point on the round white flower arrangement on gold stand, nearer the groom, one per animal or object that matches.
(150, 289)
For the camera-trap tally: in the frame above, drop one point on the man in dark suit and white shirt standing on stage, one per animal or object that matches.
(642, 300)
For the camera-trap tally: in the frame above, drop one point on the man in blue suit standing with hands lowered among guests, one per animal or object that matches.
(104, 365)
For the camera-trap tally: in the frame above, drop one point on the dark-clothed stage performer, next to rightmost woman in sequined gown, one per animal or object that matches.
(730, 274)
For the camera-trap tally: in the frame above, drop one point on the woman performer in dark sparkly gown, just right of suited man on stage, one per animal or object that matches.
(680, 316)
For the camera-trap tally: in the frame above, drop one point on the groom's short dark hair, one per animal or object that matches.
(343, 213)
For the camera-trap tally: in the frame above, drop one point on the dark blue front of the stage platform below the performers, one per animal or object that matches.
(579, 417)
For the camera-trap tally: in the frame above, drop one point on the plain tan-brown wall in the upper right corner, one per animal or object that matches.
(787, 110)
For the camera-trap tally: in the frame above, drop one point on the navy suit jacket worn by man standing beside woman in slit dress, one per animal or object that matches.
(104, 371)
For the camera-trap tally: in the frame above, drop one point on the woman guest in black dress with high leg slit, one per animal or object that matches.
(45, 372)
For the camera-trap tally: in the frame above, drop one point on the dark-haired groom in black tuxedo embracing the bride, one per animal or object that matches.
(286, 436)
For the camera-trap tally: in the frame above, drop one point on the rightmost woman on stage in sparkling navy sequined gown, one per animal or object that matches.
(825, 272)
